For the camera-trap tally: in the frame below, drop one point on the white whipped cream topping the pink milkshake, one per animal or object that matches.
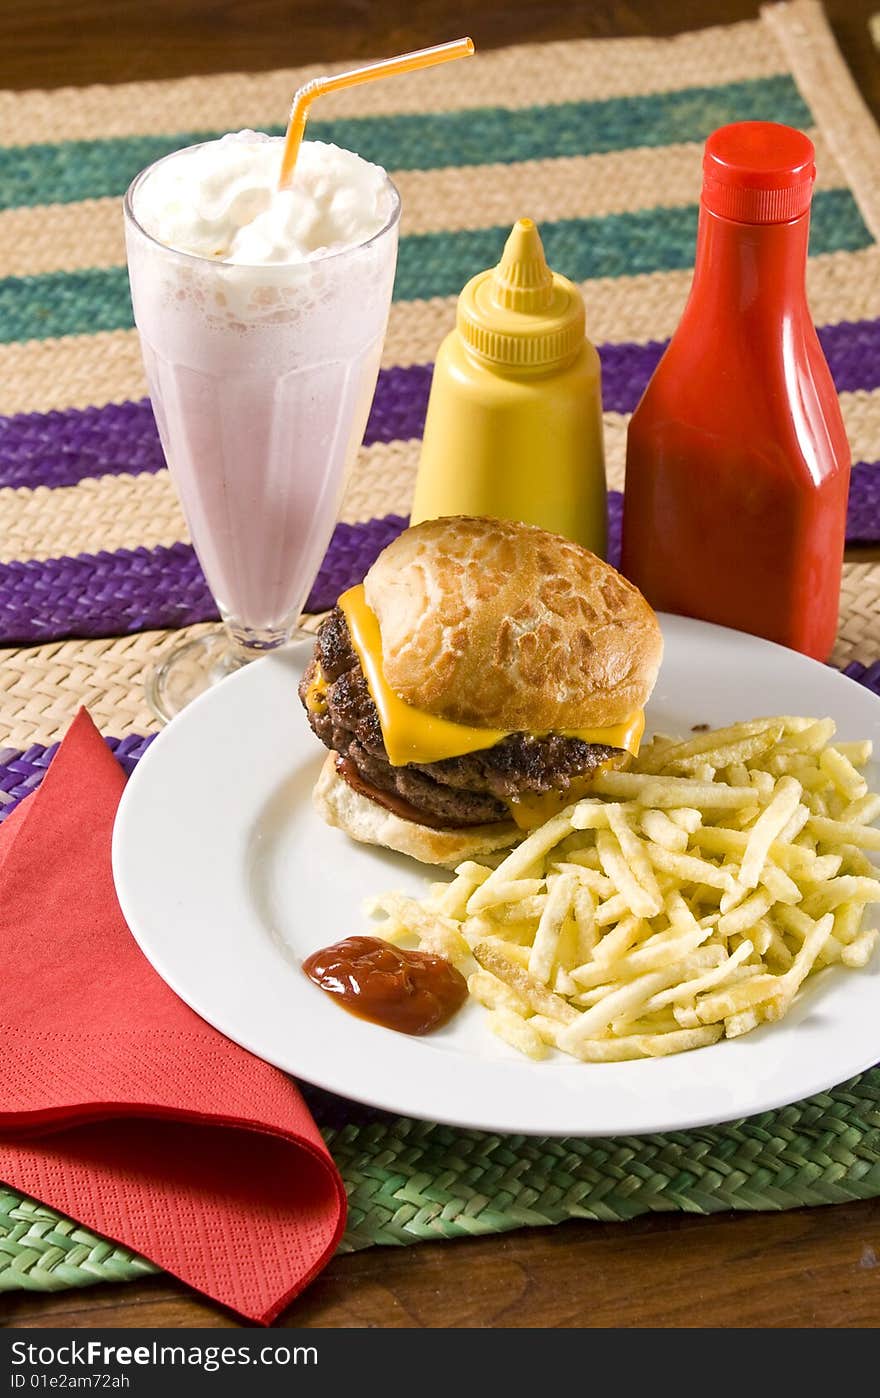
(220, 201)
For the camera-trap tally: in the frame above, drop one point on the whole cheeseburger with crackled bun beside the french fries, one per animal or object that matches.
(474, 686)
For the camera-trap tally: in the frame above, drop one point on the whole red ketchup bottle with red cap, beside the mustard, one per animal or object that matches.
(738, 463)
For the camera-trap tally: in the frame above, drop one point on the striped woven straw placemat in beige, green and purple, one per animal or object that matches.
(96, 567)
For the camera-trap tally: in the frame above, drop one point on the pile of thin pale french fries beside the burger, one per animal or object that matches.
(685, 901)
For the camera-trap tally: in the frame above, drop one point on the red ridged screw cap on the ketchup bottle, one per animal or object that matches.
(759, 173)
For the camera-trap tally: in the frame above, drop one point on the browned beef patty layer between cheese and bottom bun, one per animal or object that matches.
(458, 792)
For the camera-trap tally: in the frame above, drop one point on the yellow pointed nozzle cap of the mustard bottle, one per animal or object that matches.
(521, 314)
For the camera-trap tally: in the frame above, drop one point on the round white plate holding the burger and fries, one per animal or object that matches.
(229, 880)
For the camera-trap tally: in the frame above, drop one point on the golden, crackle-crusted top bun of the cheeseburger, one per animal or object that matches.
(504, 626)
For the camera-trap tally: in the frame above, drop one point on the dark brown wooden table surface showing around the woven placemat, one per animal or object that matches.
(804, 1269)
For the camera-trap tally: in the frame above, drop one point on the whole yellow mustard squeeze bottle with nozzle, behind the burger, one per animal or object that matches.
(514, 426)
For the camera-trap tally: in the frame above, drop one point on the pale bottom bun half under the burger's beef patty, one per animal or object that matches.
(373, 824)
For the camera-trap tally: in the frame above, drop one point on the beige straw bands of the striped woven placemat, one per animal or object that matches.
(41, 687)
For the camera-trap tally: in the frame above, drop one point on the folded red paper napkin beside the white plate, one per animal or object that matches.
(118, 1105)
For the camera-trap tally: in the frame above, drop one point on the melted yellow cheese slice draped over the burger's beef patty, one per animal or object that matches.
(413, 736)
